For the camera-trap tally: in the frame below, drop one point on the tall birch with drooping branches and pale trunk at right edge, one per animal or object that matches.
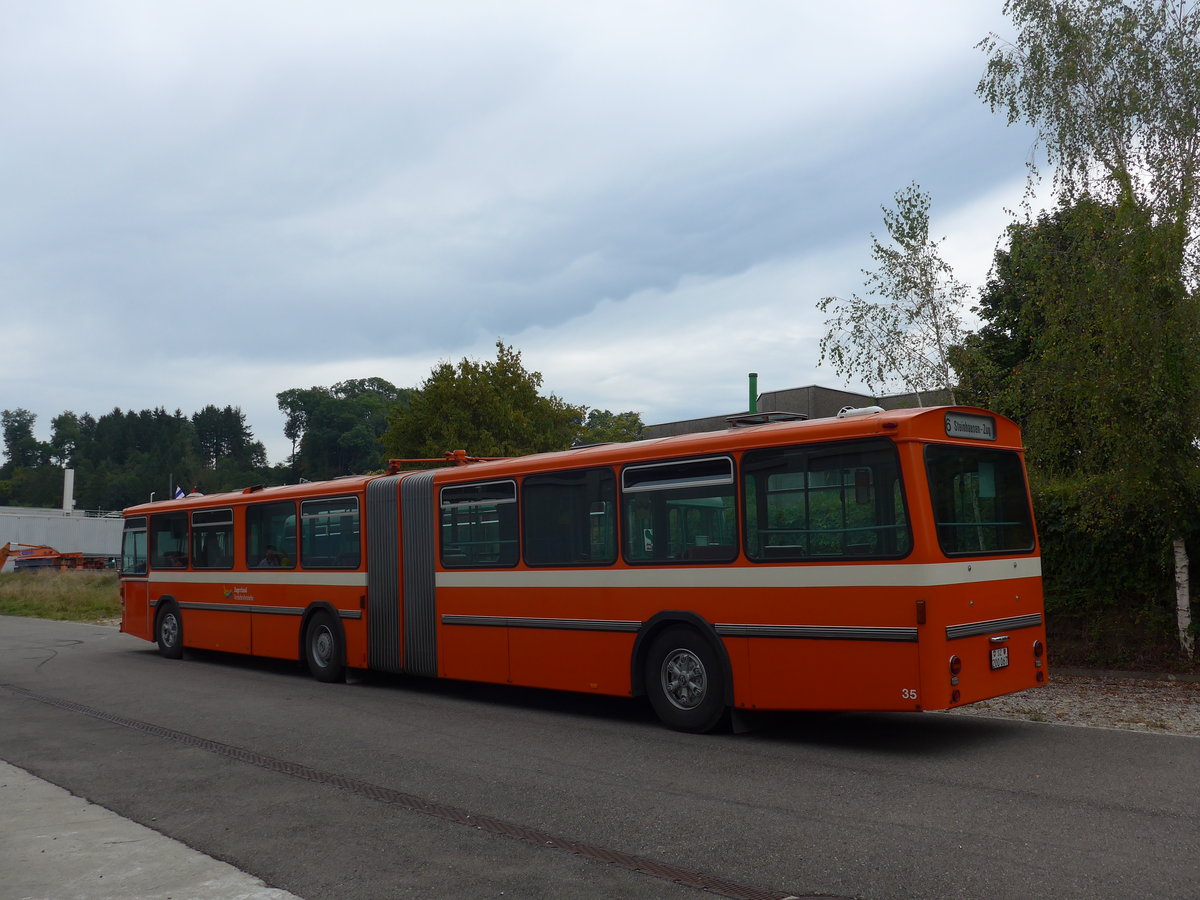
(1113, 88)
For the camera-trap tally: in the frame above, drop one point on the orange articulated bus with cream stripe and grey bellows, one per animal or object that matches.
(878, 561)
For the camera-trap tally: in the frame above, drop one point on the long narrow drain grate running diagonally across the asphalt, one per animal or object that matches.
(652, 868)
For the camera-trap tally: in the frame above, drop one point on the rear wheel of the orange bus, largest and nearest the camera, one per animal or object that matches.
(685, 681)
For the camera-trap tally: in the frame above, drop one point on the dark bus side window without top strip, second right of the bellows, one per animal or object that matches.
(569, 518)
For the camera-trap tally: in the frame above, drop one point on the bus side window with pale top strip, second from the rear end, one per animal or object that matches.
(681, 512)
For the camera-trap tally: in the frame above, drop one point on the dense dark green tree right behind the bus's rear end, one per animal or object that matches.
(1087, 350)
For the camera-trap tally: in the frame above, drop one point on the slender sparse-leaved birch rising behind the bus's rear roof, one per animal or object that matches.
(902, 333)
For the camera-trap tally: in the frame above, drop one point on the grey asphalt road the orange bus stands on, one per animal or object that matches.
(399, 788)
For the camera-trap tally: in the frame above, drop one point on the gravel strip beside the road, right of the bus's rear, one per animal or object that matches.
(1166, 706)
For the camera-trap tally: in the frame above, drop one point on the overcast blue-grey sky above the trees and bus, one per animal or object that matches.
(213, 202)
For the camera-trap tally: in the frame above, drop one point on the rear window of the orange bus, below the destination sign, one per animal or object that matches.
(981, 505)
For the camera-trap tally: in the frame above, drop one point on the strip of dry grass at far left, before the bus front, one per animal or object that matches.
(68, 597)
